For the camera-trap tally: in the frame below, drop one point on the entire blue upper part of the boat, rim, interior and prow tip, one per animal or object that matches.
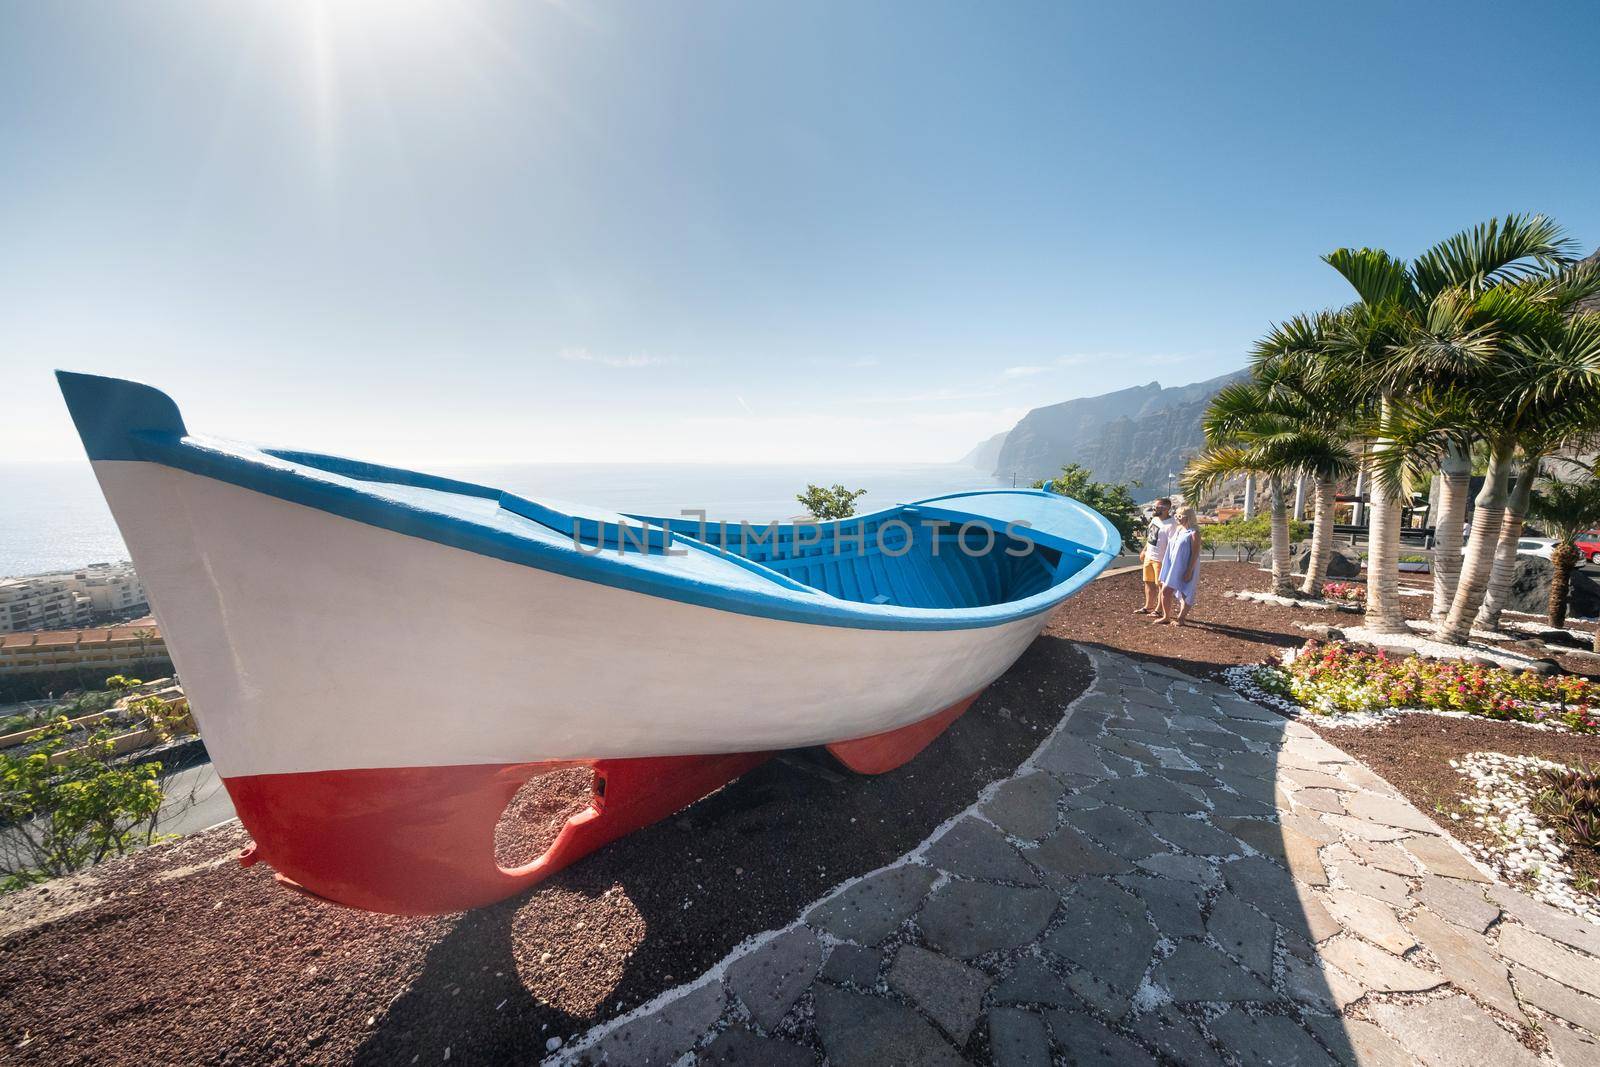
(967, 559)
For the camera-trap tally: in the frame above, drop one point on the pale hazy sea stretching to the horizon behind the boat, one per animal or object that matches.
(54, 518)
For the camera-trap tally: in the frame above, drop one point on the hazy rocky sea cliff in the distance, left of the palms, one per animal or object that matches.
(1138, 434)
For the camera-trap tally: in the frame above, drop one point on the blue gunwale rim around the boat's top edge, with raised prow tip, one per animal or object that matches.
(121, 420)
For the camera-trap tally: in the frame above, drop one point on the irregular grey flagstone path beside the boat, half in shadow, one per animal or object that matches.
(1177, 876)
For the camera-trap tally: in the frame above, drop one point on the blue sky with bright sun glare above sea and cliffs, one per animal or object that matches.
(446, 233)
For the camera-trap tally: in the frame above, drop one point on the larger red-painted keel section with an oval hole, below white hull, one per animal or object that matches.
(422, 841)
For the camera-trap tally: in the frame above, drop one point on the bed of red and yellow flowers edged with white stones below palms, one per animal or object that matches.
(1337, 679)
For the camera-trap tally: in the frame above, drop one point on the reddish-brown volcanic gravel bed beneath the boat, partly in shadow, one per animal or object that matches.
(178, 956)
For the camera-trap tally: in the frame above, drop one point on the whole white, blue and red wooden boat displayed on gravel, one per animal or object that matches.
(380, 658)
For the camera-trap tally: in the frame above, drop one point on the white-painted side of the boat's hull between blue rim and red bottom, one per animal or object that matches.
(311, 642)
